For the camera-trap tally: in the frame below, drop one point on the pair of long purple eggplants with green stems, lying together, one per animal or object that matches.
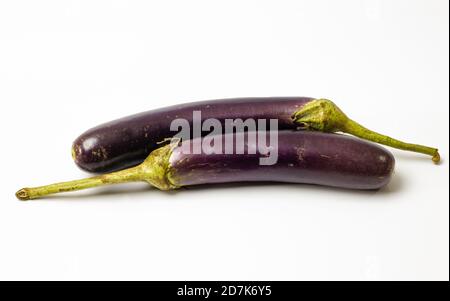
(309, 149)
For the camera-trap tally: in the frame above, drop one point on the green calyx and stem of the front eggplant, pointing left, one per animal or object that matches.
(154, 170)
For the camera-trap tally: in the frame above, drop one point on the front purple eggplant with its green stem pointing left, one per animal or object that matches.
(302, 157)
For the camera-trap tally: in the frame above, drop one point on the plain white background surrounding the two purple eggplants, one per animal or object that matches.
(66, 66)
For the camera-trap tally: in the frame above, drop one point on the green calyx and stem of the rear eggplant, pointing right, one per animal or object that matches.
(323, 115)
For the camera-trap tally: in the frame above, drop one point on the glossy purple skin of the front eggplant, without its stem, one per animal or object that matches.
(303, 157)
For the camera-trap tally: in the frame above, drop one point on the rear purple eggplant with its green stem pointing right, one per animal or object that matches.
(128, 141)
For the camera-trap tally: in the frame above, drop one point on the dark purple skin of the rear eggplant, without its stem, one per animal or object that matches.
(128, 141)
